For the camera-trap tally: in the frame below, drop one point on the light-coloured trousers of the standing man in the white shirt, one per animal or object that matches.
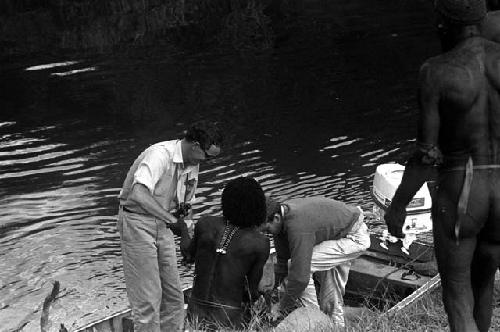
(151, 275)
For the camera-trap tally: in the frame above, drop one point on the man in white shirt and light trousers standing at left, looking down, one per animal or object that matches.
(161, 178)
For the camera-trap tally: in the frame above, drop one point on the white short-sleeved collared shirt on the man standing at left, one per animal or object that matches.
(161, 169)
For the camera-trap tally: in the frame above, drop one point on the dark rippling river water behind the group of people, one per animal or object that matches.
(313, 116)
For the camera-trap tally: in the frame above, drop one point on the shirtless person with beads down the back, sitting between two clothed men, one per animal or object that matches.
(229, 254)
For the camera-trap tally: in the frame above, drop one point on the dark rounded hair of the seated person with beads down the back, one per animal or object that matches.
(243, 202)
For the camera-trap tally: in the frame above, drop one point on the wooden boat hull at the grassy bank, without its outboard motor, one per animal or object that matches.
(379, 275)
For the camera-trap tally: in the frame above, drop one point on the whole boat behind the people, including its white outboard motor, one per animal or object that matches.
(384, 275)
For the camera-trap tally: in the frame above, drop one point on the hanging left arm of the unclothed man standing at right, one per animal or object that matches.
(421, 165)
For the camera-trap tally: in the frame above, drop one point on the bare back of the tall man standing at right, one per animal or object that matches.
(460, 102)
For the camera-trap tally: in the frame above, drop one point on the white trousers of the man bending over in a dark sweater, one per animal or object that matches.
(335, 257)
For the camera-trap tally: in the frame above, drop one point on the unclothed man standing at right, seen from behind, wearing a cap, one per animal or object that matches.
(458, 144)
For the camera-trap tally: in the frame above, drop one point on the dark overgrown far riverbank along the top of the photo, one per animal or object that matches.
(34, 28)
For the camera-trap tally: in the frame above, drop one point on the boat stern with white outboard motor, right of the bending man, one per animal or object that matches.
(388, 271)
